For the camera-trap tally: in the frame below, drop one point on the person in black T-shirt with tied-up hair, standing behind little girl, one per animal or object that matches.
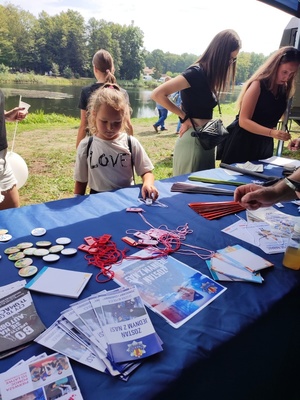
(103, 67)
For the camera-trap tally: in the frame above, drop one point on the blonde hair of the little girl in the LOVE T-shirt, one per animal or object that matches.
(109, 94)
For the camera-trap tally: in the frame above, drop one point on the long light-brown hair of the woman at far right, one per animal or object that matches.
(268, 72)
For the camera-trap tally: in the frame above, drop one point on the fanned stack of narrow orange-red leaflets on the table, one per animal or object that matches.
(216, 209)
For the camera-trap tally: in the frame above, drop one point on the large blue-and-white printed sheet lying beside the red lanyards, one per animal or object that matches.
(167, 286)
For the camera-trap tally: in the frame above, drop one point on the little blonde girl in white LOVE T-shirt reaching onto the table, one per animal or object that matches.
(108, 163)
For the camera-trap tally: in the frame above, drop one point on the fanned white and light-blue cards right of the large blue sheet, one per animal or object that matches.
(235, 263)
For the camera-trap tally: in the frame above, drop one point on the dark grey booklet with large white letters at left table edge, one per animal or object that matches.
(19, 321)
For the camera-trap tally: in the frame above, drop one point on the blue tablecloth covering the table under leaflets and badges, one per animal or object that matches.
(244, 345)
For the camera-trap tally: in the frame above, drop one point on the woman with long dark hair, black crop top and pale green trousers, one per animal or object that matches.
(200, 85)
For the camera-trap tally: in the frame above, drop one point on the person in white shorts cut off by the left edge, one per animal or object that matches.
(9, 196)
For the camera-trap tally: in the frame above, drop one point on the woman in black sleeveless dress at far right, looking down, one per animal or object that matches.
(262, 102)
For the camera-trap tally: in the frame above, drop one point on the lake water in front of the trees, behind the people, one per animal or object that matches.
(64, 99)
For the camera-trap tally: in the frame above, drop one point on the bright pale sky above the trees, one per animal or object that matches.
(180, 26)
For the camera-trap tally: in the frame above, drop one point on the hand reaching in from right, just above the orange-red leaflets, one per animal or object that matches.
(254, 196)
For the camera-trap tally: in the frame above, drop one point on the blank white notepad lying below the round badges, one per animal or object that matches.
(60, 282)
